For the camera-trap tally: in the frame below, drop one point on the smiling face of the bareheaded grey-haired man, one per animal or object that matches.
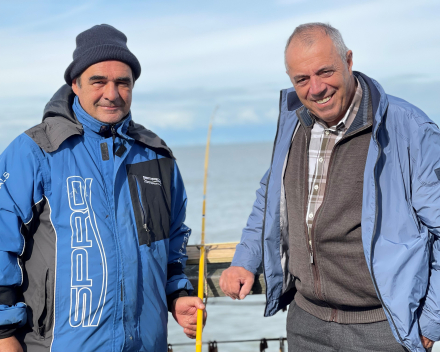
(323, 82)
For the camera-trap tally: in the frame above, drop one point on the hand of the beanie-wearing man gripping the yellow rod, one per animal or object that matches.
(184, 311)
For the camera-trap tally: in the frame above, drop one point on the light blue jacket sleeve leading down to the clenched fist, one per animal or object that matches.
(248, 252)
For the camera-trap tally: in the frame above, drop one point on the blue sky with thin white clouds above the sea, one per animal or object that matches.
(197, 54)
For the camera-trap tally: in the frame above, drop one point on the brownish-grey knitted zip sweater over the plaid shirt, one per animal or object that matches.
(337, 286)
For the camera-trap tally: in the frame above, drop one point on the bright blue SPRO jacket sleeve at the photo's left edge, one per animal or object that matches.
(20, 188)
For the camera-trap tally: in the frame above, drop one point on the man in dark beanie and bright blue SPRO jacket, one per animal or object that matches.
(95, 207)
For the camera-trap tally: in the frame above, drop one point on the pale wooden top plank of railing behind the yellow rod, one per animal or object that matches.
(215, 253)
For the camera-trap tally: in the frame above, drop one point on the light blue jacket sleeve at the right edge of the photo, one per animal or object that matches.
(426, 202)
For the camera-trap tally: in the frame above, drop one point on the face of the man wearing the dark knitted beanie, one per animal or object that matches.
(104, 90)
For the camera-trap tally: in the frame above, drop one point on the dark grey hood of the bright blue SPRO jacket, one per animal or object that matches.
(59, 123)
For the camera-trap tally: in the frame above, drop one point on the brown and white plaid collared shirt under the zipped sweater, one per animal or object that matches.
(322, 141)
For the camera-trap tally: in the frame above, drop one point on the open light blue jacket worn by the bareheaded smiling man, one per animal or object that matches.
(400, 216)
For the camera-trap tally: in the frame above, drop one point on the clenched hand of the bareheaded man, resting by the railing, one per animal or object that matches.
(236, 282)
